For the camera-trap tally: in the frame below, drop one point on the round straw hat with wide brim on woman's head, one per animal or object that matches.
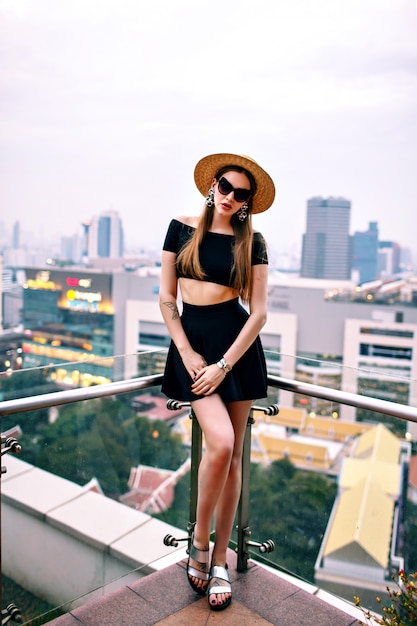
(206, 169)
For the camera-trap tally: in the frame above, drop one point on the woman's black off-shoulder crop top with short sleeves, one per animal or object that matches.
(216, 251)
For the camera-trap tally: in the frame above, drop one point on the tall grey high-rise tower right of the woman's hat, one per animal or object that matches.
(326, 242)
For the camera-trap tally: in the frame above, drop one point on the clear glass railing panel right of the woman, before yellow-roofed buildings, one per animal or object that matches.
(330, 483)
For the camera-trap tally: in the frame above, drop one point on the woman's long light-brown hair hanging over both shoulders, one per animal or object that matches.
(188, 259)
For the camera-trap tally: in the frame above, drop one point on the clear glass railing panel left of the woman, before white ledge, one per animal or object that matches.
(126, 449)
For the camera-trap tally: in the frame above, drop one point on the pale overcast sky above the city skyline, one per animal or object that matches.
(108, 104)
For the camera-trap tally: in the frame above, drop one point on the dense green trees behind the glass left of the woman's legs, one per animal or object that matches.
(102, 439)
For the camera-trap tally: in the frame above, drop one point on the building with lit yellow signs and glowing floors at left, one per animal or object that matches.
(69, 314)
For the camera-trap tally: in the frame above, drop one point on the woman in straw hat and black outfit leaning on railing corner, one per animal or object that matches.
(215, 360)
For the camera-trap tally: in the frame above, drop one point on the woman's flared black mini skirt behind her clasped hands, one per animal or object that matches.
(211, 330)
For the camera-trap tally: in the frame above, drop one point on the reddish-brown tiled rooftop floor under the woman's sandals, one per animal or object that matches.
(166, 599)
